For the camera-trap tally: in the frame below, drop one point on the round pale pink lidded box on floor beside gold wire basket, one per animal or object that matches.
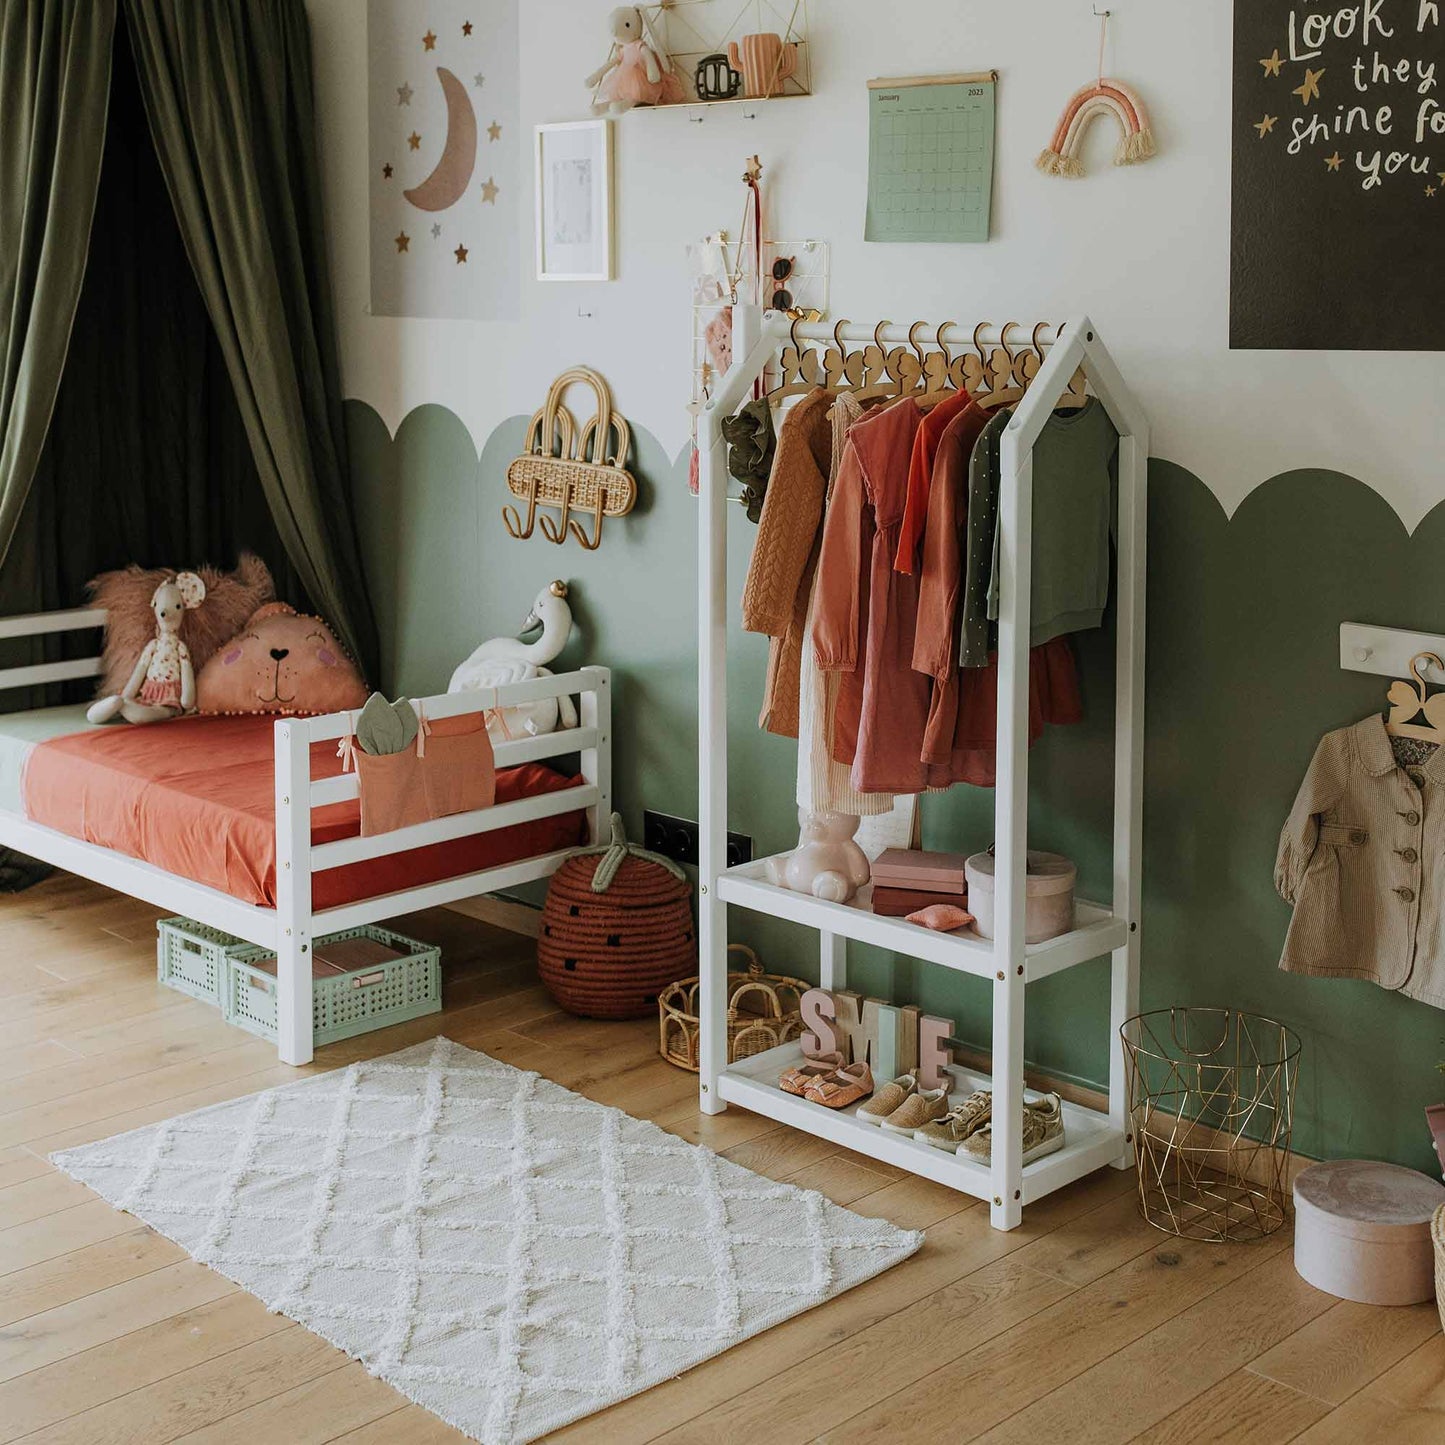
(1363, 1232)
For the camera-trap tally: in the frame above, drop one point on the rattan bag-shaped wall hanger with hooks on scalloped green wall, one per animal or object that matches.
(573, 470)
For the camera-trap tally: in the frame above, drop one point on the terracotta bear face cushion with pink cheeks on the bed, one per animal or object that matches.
(281, 663)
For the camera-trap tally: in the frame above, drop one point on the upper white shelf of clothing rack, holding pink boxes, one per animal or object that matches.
(1096, 931)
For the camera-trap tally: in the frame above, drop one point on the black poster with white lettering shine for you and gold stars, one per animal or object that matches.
(1339, 223)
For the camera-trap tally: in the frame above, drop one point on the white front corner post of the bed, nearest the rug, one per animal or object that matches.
(293, 894)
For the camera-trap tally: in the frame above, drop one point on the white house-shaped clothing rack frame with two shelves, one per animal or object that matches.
(1093, 1139)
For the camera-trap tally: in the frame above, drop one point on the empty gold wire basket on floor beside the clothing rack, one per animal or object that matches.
(1212, 1097)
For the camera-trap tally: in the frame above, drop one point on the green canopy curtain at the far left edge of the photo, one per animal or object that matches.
(54, 85)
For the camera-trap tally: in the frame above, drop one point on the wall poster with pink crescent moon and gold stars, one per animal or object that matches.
(446, 158)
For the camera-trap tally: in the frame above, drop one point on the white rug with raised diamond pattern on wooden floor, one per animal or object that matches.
(501, 1251)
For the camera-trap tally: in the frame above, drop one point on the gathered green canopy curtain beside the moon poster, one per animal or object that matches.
(228, 92)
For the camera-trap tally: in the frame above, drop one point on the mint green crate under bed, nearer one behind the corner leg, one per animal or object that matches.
(342, 1005)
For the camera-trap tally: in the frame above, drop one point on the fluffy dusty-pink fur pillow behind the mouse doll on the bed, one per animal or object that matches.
(230, 599)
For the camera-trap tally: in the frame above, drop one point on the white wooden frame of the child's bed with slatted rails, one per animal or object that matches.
(291, 927)
